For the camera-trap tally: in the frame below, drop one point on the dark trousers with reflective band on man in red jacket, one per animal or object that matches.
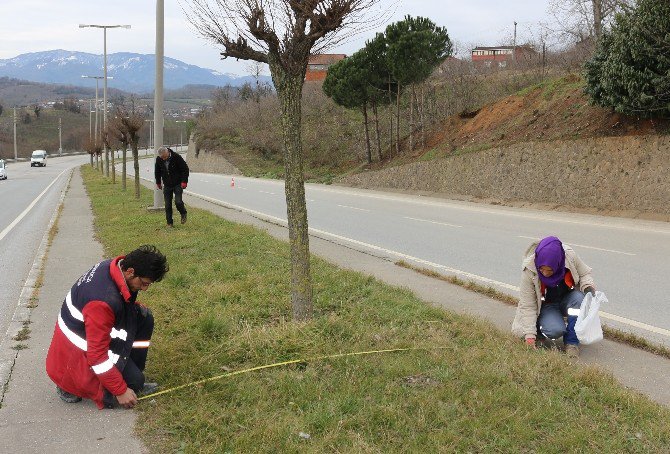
(133, 371)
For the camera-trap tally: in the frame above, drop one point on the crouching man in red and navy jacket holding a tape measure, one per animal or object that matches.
(101, 340)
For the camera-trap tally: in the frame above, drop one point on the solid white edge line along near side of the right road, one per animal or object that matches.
(283, 222)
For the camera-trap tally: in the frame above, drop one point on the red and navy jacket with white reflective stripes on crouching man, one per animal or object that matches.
(94, 334)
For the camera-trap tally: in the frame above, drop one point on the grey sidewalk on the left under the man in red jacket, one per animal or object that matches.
(32, 418)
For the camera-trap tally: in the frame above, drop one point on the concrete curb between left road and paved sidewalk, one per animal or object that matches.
(22, 311)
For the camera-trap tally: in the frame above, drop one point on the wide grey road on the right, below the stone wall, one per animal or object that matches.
(480, 242)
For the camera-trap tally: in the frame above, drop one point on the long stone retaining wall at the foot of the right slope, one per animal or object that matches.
(622, 176)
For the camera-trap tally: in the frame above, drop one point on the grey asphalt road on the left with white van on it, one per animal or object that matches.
(28, 199)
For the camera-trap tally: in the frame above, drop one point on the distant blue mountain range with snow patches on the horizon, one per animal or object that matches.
(131, 72)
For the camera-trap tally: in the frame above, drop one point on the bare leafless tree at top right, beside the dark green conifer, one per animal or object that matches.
(578, 20)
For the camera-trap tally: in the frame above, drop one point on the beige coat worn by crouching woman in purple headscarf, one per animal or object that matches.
(528, 309)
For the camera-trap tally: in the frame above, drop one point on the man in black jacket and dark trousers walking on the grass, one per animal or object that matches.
(173, 171)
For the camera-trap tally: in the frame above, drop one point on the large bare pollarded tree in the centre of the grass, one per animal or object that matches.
(283, 34)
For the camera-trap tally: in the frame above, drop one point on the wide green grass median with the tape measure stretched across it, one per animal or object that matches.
(224, 305)
